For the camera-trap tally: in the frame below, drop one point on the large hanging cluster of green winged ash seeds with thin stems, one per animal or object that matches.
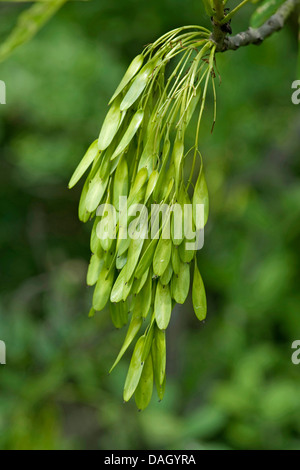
(140, 155)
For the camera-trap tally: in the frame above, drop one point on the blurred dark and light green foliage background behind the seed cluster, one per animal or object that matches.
(230, 381)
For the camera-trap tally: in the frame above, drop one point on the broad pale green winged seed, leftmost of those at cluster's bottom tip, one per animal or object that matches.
(135, 370)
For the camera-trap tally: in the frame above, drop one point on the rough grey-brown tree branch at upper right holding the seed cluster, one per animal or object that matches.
(258, 35)
